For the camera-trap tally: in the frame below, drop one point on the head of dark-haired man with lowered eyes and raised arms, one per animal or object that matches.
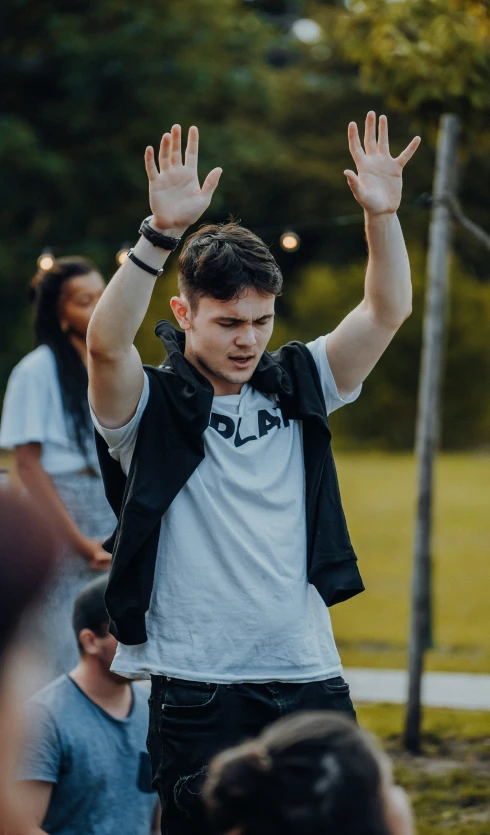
(228, 283)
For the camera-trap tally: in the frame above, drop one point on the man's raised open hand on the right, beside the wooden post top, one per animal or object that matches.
(377, 186)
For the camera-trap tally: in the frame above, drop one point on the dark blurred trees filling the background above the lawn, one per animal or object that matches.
(272, 85)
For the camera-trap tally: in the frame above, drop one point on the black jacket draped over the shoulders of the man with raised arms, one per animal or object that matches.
(170, 446)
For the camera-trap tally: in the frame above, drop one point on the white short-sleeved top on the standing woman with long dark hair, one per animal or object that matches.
(33, 411)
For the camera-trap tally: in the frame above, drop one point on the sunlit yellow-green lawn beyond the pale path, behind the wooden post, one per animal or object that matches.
(379, 498)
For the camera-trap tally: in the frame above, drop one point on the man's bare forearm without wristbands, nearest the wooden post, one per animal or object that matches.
(388, 288)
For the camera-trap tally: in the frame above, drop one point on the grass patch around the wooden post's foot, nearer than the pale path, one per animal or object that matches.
(449, 784)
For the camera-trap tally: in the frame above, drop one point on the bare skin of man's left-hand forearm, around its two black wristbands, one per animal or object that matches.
(124, 303)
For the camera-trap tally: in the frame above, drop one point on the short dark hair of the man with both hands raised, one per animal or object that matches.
(223, 261)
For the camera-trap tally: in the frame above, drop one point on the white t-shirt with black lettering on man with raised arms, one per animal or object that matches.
(231, 600)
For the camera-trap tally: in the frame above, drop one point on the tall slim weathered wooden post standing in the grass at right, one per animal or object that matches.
(428, 418)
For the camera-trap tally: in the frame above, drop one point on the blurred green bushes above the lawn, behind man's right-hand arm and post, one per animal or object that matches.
(384, 416)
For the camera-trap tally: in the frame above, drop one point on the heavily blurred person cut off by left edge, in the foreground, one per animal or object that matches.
(28, 554)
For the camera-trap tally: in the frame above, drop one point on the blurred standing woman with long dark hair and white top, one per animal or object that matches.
(46, 420)
